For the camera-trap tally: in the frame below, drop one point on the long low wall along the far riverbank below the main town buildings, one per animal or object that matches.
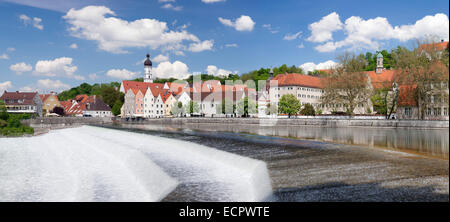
(300, 122)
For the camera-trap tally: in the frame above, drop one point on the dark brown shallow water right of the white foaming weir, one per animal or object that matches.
(305, 170)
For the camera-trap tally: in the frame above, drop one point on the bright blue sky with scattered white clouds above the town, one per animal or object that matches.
(53, 45)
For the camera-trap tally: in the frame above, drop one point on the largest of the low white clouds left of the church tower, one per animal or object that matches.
(58, 67)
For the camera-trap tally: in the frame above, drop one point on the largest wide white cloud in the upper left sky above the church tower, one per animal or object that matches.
(114, 34)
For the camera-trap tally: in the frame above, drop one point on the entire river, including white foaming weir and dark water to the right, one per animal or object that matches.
(204, 162)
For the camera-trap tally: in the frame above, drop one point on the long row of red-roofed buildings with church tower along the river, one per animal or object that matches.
(155, 100)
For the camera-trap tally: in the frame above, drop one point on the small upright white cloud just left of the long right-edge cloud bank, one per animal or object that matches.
(322, 30)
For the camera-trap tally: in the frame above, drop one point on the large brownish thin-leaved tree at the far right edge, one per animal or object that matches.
(424, 71)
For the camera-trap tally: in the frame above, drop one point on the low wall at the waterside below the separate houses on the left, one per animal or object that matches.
(62, 122)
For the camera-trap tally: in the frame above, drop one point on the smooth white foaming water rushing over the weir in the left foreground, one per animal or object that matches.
(97, 164)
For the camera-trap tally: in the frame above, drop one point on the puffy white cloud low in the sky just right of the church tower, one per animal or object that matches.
(177, 70)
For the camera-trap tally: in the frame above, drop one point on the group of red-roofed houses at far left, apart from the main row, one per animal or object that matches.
(44, 105)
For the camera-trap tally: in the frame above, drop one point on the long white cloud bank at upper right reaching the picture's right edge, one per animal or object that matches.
(368, 34)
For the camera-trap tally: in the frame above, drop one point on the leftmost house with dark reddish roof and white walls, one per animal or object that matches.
(22, 102)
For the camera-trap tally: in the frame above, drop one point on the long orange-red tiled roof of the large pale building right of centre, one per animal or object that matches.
(294, 79)
